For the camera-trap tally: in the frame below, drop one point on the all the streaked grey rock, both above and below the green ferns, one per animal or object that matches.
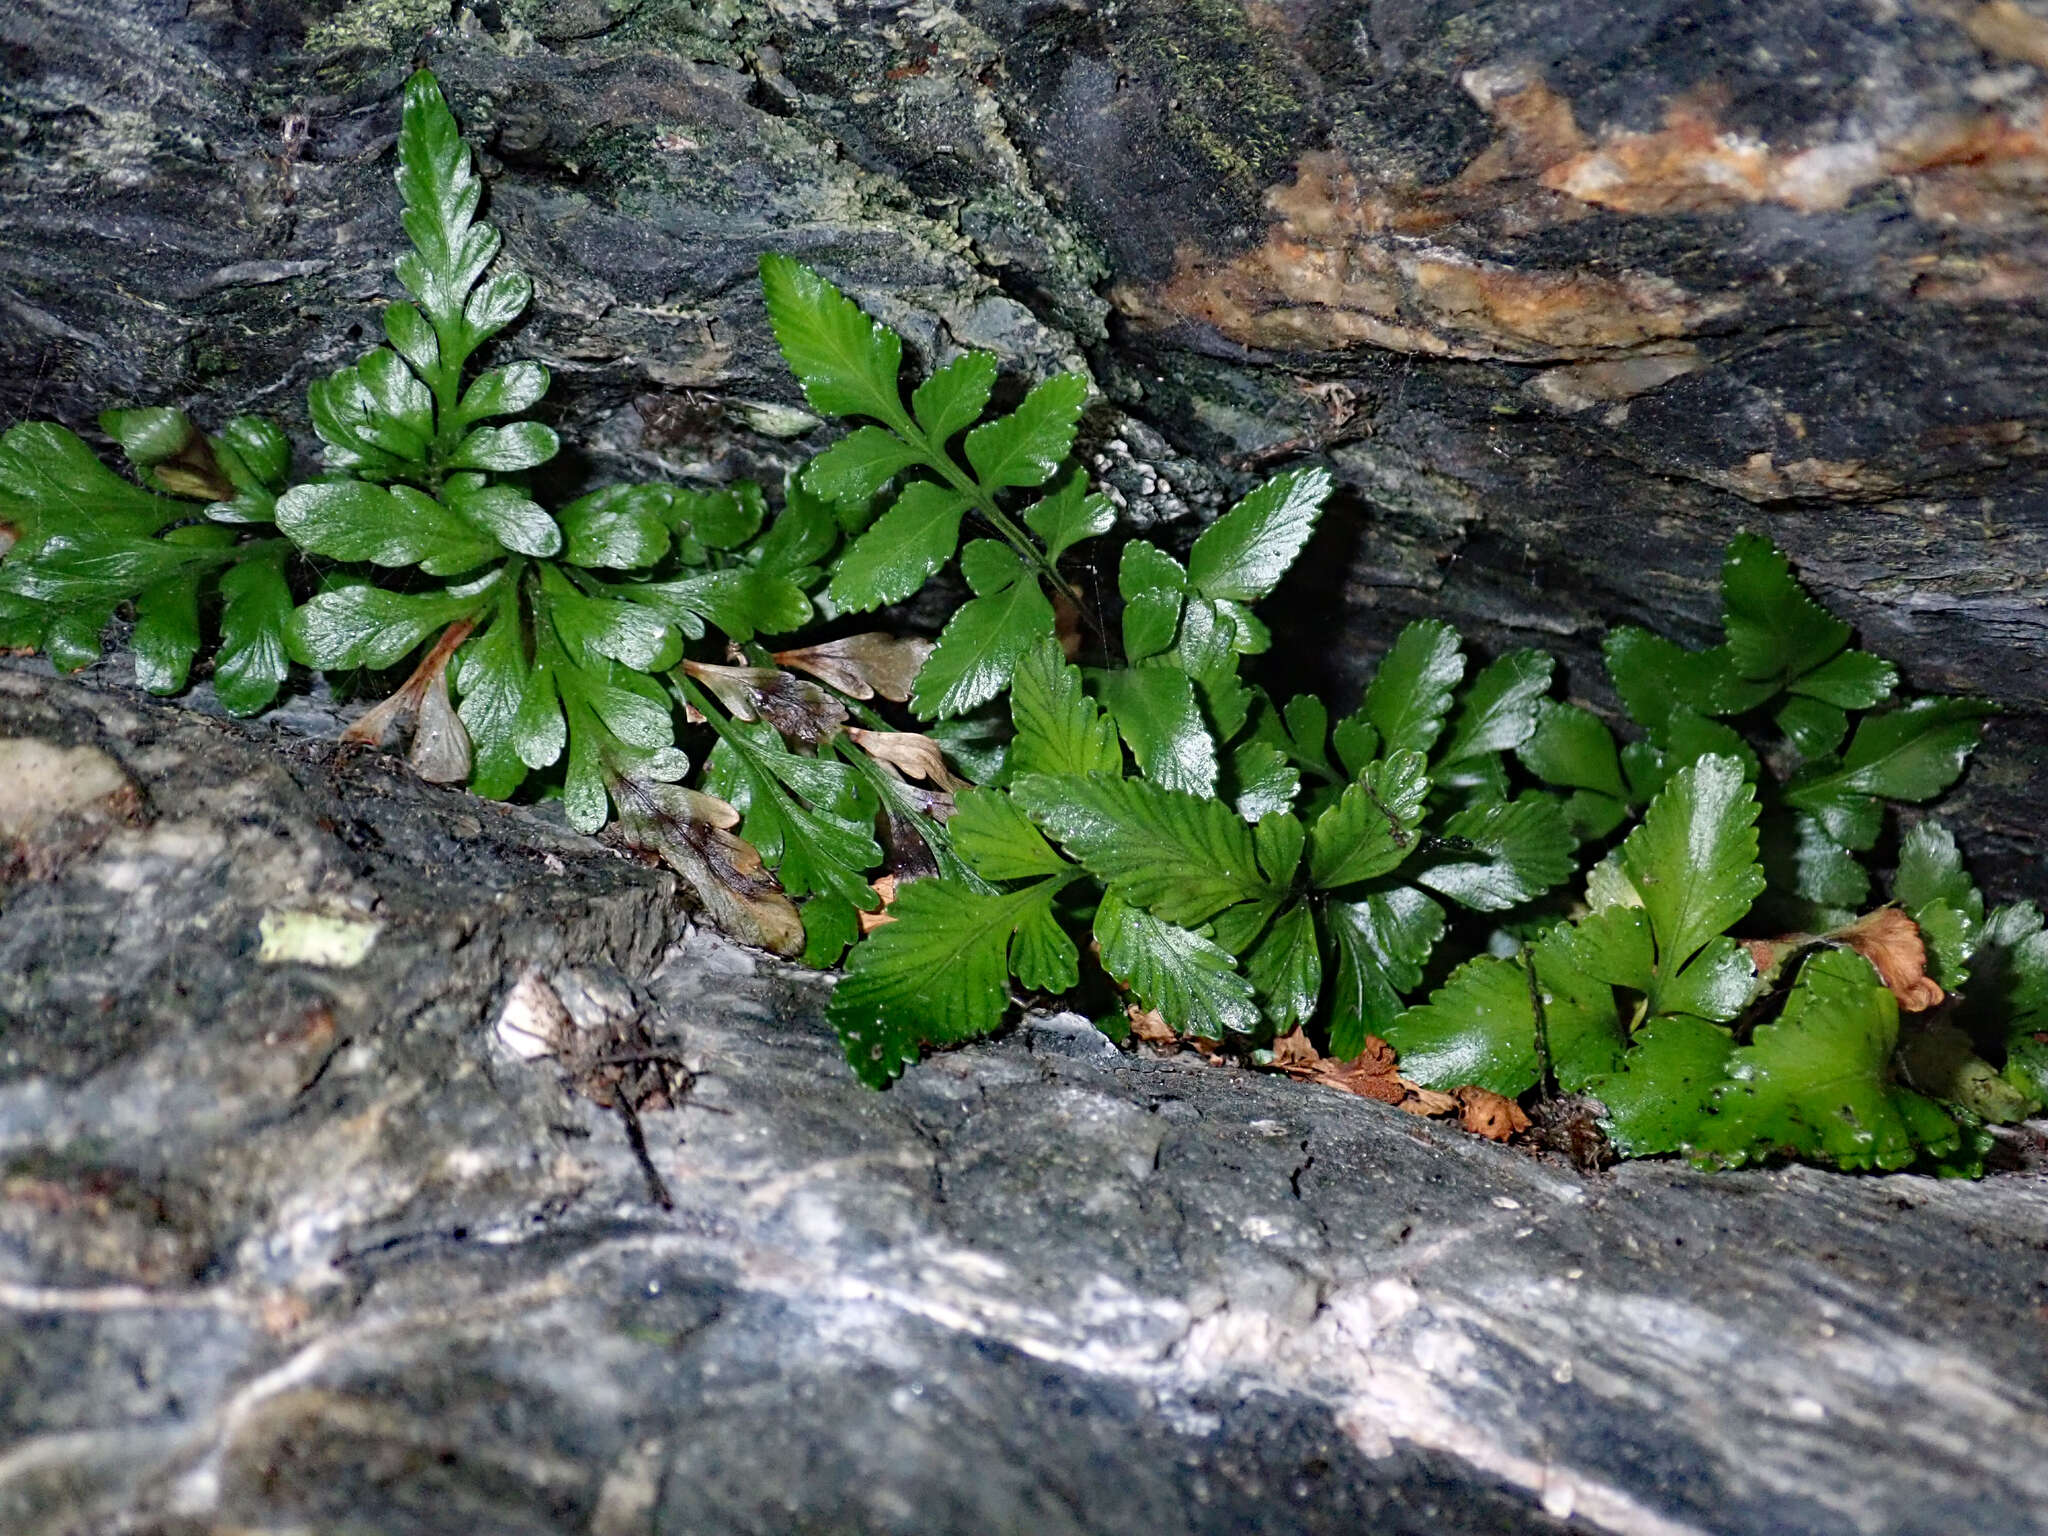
(292, 1238)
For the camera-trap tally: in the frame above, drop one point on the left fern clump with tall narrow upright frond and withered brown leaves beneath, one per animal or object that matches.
(552, 644)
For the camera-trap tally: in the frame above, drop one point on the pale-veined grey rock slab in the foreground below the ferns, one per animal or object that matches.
(300, 1230)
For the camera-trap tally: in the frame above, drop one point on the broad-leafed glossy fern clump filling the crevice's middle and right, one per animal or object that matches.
(1676, 927)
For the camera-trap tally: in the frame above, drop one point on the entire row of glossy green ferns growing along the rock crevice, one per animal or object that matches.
(1465, 886)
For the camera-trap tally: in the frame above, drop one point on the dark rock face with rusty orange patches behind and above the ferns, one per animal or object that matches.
(1566, 294)
